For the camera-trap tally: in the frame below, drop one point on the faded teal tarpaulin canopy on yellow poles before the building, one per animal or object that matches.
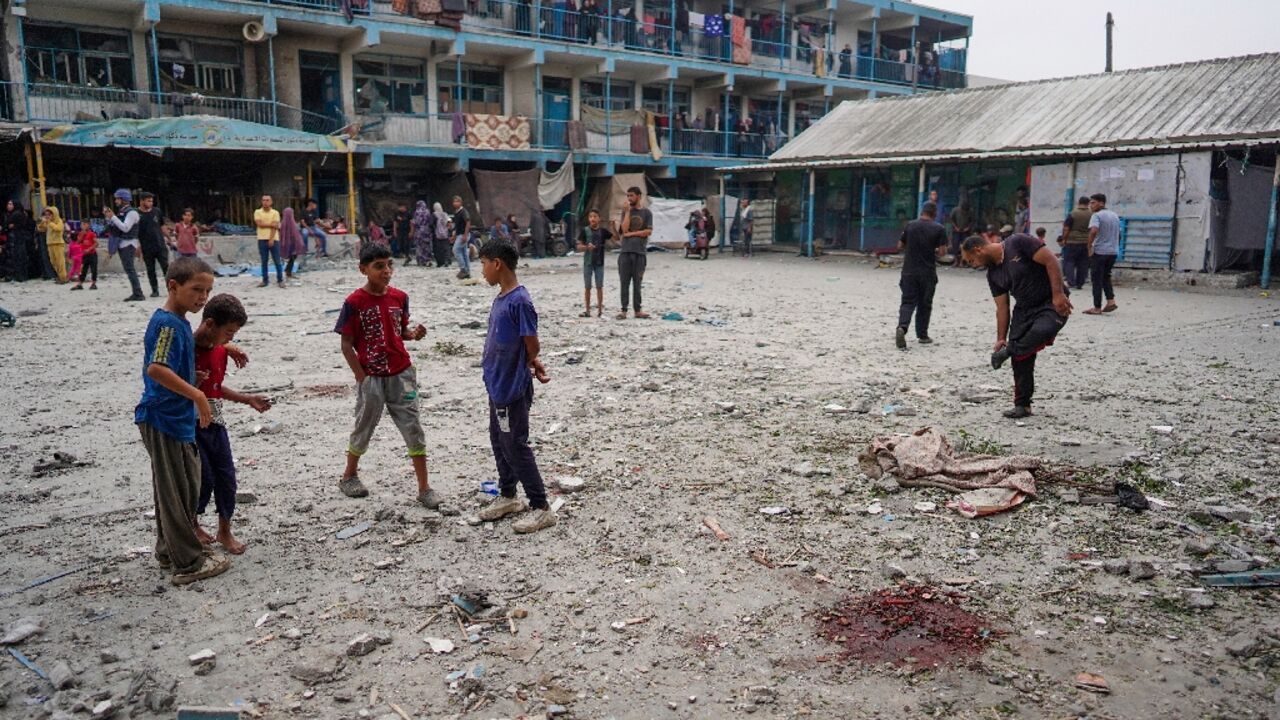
(193, 133)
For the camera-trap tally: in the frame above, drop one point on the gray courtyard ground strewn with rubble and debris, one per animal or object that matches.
(630, 607)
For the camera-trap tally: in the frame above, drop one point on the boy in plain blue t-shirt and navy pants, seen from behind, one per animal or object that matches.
(510, 364)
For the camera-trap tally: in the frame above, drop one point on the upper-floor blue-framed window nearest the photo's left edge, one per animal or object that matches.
(77, 57)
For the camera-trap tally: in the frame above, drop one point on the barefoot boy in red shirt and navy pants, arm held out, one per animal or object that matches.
(225, 317)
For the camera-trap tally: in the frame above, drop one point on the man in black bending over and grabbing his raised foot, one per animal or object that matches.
(1022, 267)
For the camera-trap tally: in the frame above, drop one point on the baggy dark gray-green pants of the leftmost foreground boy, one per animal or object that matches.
(175, 489)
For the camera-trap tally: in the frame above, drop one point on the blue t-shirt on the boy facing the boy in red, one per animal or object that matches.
(506, 362)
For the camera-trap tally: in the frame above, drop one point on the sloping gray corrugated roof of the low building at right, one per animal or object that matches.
(1213, 103)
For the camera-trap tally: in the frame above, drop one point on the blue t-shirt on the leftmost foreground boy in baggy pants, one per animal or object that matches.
(170, 343)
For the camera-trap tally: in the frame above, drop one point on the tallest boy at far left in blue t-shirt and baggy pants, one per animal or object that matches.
(171, 409)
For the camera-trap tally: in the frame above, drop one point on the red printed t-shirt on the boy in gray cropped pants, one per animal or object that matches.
(377, 325)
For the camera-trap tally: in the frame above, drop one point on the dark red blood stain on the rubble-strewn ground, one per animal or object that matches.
(909, 626)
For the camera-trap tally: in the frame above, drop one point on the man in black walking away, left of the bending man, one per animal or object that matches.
(922, 244)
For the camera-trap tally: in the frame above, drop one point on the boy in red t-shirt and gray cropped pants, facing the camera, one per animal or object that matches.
(373, 322)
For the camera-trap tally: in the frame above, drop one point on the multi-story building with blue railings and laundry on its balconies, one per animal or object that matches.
(436, 89)
